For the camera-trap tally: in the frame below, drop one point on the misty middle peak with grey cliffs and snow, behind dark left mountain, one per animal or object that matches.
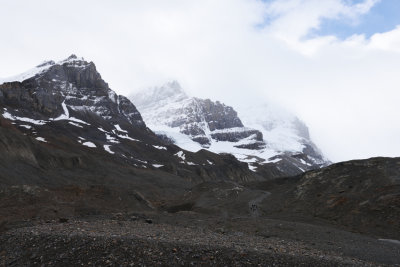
(205, 122)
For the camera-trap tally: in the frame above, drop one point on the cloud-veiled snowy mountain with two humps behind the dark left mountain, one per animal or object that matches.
(262, 134)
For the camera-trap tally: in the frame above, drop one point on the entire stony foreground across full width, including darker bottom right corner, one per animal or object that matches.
(188, 238)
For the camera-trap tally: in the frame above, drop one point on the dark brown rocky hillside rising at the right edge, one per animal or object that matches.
(362, 194)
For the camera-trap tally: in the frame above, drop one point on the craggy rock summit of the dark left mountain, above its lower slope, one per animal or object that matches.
(72, 85)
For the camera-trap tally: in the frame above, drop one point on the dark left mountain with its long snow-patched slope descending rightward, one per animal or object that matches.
(67, 106)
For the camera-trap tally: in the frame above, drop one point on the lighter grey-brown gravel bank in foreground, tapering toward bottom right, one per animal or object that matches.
(132, 243)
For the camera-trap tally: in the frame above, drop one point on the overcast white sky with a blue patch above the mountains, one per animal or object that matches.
(335, 63)
